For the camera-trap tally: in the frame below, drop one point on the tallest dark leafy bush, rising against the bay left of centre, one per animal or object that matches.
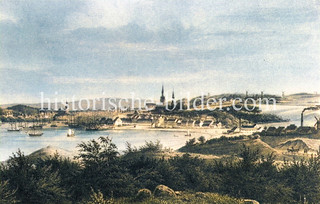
(103, 170)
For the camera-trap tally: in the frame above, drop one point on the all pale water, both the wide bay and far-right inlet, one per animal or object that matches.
(12, 141)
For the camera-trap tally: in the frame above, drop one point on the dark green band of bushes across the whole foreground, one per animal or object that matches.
(101, 175)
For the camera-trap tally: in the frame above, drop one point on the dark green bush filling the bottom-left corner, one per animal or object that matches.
(33, 184)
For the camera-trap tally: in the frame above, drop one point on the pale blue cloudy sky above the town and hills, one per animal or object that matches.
(113, 48)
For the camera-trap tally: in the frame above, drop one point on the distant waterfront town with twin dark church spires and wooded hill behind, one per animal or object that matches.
(183, 114)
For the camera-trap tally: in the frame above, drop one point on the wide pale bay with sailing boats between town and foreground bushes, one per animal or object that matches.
(57, 137)
